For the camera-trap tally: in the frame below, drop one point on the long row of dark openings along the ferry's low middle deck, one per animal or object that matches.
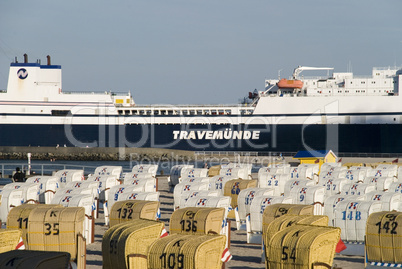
(182, 112)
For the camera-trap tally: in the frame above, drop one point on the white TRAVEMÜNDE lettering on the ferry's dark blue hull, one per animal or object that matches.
(217, 135)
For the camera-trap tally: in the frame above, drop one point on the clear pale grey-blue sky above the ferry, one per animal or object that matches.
(197, 52)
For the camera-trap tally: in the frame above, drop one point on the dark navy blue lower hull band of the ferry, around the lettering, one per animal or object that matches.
(353, 138)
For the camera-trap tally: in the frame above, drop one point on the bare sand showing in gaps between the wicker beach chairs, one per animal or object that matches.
(244, 255)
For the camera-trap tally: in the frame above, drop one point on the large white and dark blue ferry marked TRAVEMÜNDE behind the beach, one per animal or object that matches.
(339, 111)
